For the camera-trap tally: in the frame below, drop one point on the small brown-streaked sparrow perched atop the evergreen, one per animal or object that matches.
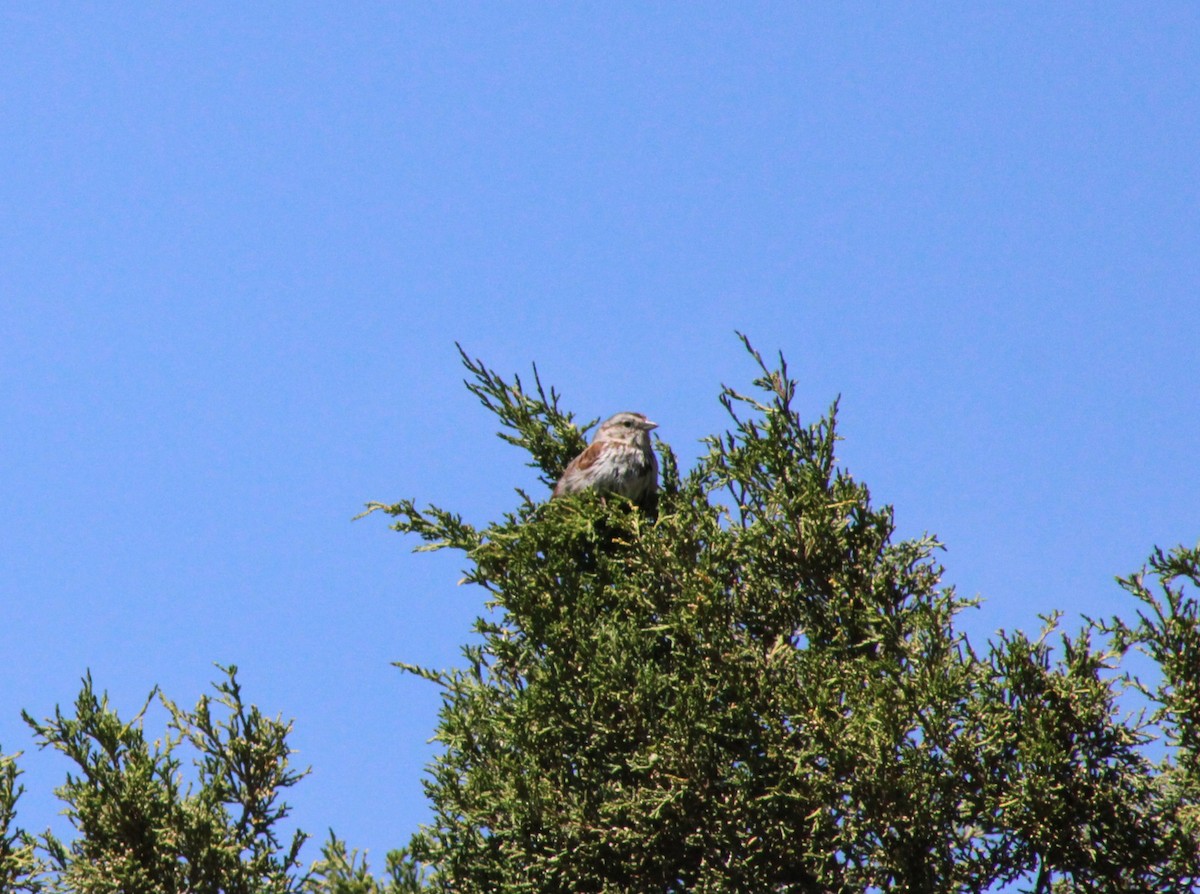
(620, 460)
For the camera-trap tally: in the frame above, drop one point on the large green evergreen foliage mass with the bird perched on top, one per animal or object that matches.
(763, 691)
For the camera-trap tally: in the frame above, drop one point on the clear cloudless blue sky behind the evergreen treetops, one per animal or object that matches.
(238, 245)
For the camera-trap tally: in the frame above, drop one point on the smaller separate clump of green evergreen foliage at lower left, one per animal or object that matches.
(141, 831)
